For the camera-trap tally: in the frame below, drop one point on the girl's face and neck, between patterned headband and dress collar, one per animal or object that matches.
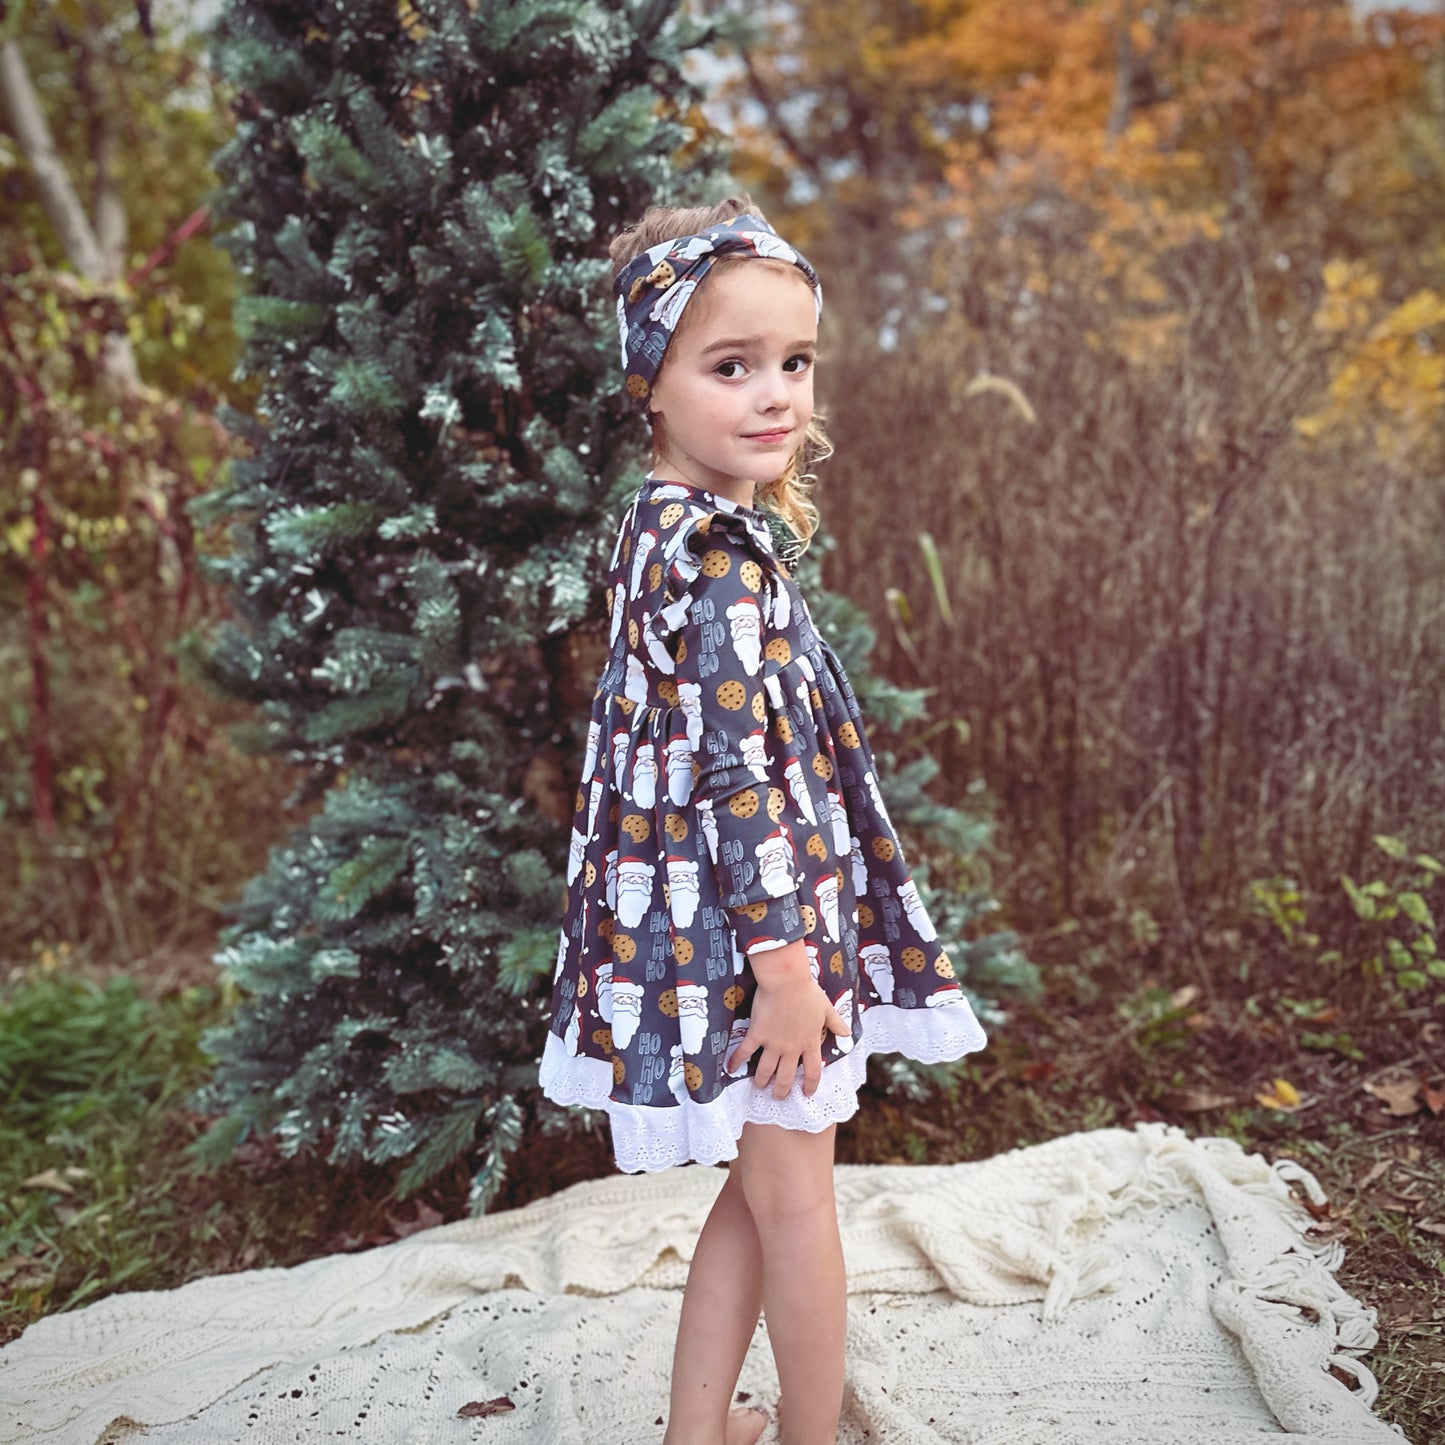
(735, 394)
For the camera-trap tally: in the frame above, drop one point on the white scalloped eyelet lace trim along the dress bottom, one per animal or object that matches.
(651, 1136)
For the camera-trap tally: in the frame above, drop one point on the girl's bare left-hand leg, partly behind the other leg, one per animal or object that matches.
(720, 1310)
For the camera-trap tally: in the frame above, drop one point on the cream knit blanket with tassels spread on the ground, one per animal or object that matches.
(1121, 1285)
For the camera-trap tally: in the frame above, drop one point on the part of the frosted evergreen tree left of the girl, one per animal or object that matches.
(421, 194)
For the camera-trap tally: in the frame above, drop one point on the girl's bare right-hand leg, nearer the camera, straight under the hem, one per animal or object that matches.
(787, 1178)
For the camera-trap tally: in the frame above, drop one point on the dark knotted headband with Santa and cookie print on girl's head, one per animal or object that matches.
(654, 288)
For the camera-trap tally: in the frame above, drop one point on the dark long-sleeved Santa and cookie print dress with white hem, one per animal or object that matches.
(729, 803)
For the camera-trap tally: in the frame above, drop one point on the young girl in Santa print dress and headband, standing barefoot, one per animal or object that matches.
(742, 930)
